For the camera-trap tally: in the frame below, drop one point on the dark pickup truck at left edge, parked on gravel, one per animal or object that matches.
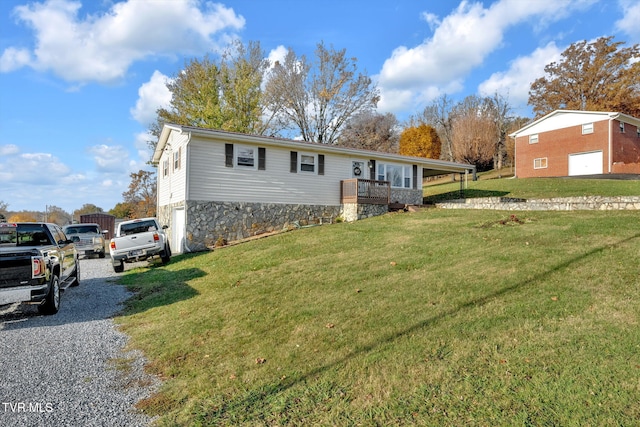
(37, 261)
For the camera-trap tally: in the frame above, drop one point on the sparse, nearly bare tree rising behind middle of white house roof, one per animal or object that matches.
(317, 99)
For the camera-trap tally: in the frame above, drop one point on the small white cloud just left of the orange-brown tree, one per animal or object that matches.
(516, 81)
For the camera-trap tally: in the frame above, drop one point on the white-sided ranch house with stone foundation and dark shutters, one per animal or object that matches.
(222, 185)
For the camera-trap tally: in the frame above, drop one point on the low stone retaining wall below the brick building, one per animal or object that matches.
(551, 204)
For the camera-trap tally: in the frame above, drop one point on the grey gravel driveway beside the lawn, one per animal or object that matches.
(71, 369)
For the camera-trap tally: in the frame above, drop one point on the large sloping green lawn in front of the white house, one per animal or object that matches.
(429, 318)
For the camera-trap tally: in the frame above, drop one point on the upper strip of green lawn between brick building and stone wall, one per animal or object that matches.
(531, 188)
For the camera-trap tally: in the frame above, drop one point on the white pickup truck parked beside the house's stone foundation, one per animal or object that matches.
(137, 240)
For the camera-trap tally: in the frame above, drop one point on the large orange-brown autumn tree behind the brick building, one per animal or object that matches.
(600, 75)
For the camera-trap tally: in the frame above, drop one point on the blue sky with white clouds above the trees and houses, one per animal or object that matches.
(80, 80)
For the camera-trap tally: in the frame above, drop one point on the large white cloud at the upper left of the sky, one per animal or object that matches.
(102, 47)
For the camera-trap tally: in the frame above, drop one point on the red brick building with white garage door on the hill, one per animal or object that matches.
(572, 143)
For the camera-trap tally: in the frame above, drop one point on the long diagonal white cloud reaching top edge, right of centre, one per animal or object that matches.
(460, 42)
